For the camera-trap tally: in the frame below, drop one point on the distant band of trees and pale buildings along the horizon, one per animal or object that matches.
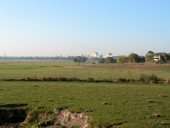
(151, 57)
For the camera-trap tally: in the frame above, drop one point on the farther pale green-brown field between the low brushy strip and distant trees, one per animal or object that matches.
(39, 69)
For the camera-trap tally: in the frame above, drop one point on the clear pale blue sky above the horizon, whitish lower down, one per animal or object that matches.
(80, 27)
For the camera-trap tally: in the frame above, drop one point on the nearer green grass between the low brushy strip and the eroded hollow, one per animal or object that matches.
(127, 103)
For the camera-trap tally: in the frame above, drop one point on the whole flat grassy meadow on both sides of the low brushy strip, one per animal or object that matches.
(106, 104)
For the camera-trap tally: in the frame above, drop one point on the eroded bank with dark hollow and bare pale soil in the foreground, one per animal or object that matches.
(20, 116)
